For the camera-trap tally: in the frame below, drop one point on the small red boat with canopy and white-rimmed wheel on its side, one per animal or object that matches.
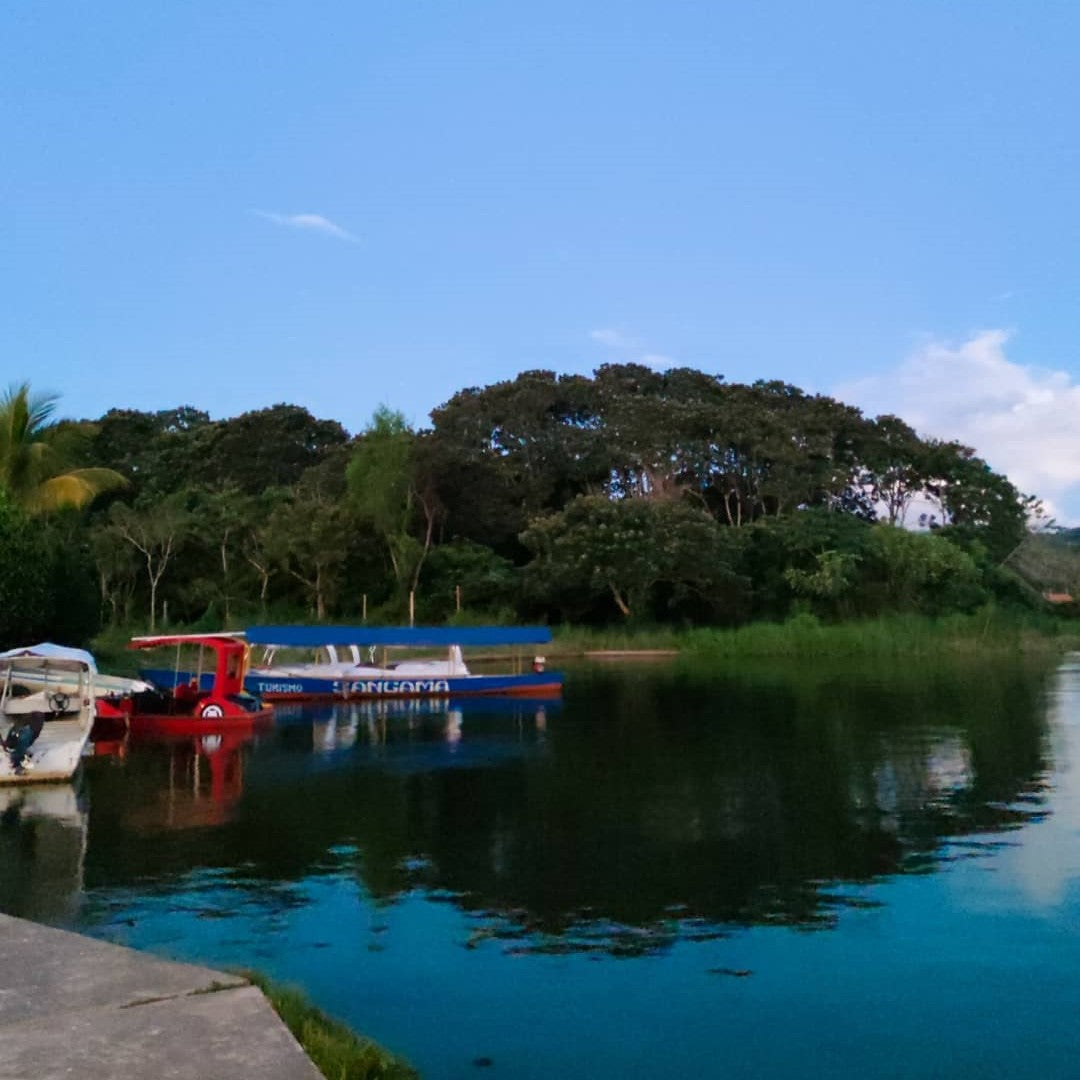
(185, 708)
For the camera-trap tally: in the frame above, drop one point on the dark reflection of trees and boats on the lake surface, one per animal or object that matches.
(653, 807)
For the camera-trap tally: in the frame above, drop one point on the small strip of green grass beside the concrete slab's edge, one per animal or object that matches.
(337, 1051)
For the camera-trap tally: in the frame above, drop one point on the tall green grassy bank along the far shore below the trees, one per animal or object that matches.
(804, 637)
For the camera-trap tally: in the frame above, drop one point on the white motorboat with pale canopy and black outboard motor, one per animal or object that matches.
(47, 711)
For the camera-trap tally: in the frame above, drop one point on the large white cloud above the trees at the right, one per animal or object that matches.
(1022, 420)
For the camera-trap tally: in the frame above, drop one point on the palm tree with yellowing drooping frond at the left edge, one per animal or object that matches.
(35, 452)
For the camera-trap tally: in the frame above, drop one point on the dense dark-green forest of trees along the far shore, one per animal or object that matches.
(633, 496)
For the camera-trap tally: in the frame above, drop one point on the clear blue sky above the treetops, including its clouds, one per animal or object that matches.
(341, 205)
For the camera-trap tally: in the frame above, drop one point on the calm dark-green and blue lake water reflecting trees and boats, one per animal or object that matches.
(672, 874)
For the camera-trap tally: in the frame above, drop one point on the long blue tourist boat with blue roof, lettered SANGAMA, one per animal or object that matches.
(354, 663)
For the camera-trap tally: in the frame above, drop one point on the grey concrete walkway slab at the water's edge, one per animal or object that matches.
(79, 1009)
